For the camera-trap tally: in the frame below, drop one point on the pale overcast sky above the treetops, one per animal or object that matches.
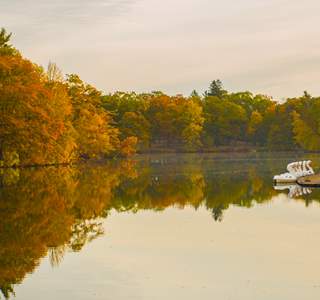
(265, 46)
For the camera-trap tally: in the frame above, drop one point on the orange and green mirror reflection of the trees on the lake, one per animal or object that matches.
(54, 210)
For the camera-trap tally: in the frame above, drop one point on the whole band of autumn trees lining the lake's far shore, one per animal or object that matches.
(48, 118)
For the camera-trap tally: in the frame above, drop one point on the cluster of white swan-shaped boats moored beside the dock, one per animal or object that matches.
(295, 170)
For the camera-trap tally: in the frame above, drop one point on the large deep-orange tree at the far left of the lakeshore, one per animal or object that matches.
(31, 128)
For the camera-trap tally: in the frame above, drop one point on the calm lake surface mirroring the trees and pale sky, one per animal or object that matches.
(159, 227)
